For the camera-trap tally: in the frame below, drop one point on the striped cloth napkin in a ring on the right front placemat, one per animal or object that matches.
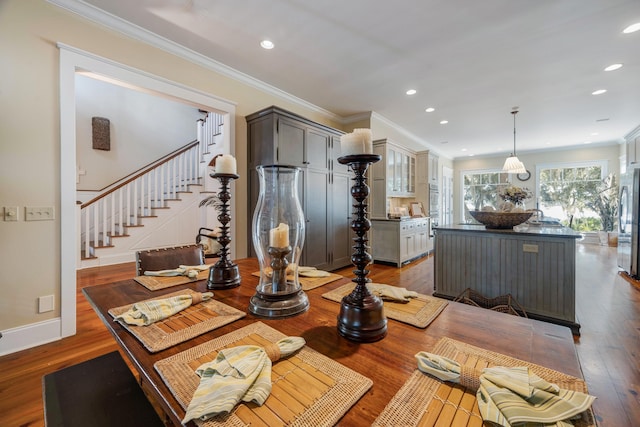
(508, 396)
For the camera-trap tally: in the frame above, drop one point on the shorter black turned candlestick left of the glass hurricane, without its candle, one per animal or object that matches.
(225, 273)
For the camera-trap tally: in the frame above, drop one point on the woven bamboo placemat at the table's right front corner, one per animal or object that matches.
(426, 401)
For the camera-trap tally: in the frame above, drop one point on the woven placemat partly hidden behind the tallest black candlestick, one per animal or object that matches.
(418, 312)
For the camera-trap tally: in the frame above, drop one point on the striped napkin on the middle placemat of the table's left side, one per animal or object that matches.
(147, 312)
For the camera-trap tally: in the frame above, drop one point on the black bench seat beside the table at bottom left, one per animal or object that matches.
(98, 392)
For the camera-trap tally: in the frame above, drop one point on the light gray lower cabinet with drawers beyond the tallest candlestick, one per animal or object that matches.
(399, 242)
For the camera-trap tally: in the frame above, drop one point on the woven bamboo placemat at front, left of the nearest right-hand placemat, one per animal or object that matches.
(309, 389)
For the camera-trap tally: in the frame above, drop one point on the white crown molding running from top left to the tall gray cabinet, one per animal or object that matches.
(112, 22)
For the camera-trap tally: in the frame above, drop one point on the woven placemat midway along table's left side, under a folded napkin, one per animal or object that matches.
(189, 323)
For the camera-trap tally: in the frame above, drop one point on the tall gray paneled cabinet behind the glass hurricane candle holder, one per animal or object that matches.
(277, 136)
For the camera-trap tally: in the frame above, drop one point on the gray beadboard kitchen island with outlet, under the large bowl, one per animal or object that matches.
(536, 265)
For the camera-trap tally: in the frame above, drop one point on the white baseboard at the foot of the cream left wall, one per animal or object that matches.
(35, 334)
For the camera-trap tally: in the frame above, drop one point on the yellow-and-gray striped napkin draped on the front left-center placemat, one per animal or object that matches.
(237, 374)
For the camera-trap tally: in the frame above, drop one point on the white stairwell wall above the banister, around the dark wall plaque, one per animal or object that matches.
(143, 127)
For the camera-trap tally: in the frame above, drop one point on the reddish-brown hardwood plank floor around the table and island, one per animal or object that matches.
(608, 309)
